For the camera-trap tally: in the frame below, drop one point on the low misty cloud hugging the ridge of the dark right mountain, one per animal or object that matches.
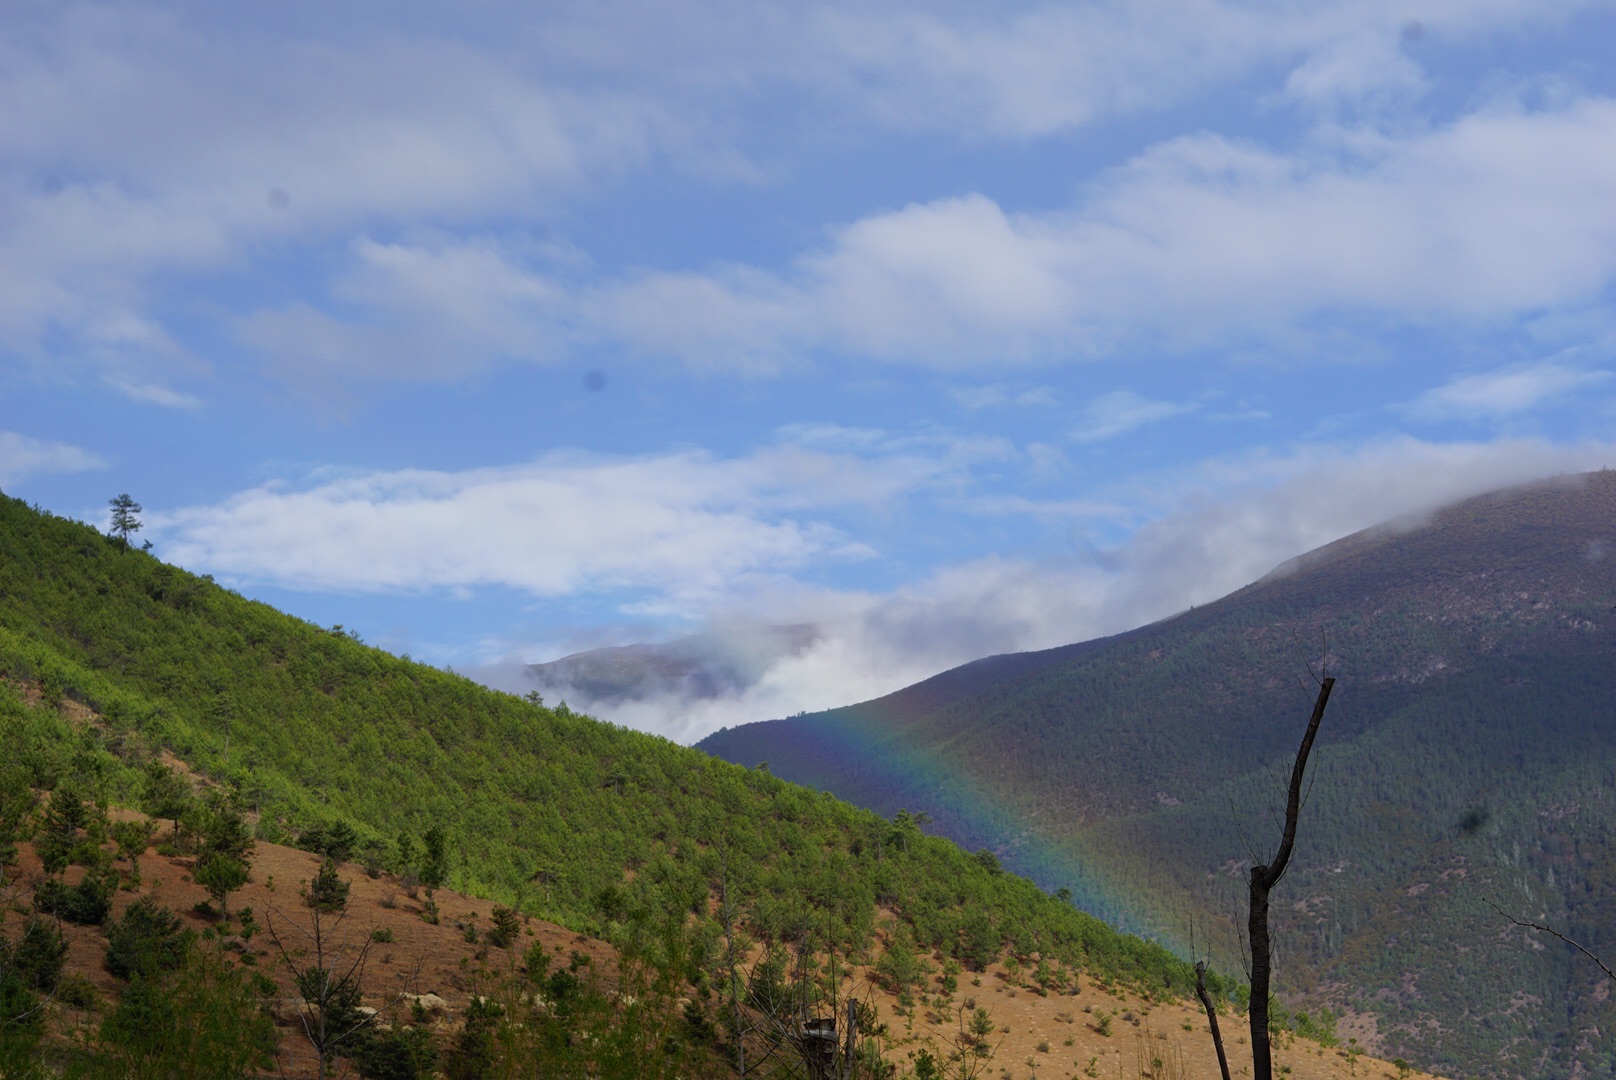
(1203, 533)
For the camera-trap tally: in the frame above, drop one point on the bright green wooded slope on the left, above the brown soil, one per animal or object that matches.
(579, 822)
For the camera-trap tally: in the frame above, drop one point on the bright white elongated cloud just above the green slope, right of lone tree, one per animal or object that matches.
(681, 526)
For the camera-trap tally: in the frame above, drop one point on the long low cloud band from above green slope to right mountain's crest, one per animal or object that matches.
(738, 542)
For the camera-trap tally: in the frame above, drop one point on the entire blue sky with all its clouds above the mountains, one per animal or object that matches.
(497, 332)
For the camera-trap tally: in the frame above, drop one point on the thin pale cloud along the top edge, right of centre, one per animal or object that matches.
(1035, 70)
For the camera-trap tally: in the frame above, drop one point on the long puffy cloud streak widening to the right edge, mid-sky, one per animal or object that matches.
(1201, 240)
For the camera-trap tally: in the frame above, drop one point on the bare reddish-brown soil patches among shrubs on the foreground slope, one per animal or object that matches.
(1040, 1037)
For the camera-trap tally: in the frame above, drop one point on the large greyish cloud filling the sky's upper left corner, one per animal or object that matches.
(146, 148)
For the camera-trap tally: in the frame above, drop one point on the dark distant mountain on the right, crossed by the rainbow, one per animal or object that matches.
(1470, 754)
